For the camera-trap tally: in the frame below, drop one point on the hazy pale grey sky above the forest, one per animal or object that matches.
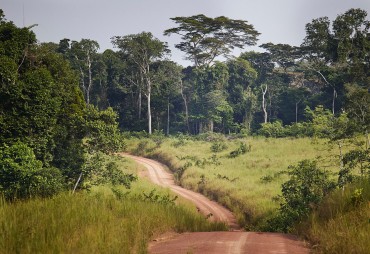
(278, 21)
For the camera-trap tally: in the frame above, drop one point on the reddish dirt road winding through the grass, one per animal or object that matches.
(233, 242)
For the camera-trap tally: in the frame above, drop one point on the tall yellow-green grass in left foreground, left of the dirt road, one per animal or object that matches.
(98, 221)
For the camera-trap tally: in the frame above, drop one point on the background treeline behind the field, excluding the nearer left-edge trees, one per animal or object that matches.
(150, 92)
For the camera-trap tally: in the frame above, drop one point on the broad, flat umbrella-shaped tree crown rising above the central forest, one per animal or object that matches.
(204, 38)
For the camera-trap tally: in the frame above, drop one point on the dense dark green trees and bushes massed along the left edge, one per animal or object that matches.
(49, 137)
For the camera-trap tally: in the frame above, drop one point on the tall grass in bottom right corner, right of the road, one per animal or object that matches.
(341, 224)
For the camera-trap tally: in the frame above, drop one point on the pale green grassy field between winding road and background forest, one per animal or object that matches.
(249, 183)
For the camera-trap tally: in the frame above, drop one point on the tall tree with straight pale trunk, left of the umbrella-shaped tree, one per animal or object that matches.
(142, 49)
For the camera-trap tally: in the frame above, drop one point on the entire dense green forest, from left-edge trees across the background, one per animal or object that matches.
(62, 104)
